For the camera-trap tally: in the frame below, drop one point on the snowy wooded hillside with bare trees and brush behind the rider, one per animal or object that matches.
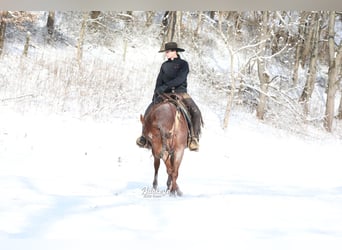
(284, 66)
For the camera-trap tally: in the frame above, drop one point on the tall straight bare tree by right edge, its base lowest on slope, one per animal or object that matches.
(334, 63)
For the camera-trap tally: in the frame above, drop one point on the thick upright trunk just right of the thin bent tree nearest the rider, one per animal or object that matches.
(262, 73)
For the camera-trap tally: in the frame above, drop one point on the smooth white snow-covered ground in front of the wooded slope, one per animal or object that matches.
(249, 187)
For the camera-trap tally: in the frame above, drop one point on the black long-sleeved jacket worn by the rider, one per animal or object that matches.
(172, 76)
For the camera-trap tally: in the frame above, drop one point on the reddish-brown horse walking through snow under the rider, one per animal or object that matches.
(166, 131)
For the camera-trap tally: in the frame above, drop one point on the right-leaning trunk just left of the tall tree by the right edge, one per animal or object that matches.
(310, 81)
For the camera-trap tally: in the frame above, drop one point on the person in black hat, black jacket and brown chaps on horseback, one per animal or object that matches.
(172, 78)
